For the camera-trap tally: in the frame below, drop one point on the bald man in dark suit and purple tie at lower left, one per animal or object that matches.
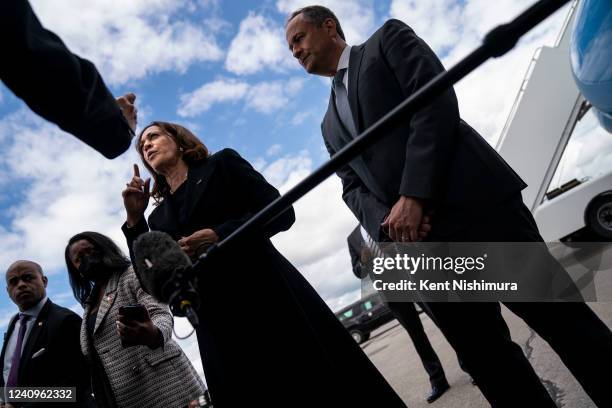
(41, 347)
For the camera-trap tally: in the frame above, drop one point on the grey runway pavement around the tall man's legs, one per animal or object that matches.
(392, 352)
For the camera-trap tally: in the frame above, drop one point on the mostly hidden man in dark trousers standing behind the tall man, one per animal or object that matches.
(361, 255)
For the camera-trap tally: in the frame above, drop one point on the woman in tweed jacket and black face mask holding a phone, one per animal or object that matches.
(150, 370)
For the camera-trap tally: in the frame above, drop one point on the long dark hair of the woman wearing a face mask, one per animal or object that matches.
(112, 257)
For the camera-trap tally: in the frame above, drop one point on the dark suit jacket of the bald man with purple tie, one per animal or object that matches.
(61, 363)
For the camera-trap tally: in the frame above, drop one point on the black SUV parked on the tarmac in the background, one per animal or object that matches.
(364, 316)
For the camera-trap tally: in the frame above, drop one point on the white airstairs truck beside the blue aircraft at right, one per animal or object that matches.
(548, 115)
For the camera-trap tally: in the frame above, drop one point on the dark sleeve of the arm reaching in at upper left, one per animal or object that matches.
(56, 84)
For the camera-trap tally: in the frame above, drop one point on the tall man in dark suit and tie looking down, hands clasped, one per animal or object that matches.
(434, 161)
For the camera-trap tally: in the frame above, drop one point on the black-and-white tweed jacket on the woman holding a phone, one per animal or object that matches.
(138, 375)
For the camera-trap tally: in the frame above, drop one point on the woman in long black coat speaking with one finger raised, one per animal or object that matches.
(267, 337)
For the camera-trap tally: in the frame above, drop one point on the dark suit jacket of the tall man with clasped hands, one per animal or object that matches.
(433, 155)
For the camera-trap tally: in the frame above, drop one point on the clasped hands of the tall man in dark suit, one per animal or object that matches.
(404, 221)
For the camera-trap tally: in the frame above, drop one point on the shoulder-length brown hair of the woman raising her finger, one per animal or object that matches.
(193, 151)
